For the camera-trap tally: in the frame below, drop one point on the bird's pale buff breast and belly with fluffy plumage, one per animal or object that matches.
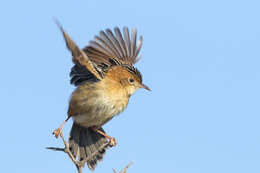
(98, 105)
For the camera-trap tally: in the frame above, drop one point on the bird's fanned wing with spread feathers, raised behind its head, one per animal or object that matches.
(113, 48)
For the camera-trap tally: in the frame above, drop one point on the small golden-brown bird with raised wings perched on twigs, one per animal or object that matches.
(105, 78)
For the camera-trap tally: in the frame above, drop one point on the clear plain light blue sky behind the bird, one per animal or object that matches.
(200, 58)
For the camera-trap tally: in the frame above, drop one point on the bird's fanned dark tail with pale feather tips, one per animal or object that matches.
(84, 143)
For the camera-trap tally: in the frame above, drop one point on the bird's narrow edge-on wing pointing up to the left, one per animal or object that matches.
(83, 69)
